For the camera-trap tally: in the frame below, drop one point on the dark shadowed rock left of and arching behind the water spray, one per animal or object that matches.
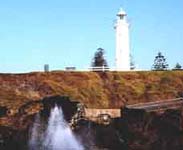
(17, 137)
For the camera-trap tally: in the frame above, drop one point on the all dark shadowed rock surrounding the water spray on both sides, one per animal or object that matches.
(136, 130)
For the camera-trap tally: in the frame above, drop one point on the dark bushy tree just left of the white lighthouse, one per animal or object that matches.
(99, 60)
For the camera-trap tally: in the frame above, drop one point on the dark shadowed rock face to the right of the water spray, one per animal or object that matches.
(137, 130)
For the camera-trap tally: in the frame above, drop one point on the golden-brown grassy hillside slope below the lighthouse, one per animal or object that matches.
(102, 90)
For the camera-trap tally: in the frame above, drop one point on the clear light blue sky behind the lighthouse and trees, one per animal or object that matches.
(67, 33)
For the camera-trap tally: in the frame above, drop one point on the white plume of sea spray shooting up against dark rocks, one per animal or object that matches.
(57, 136)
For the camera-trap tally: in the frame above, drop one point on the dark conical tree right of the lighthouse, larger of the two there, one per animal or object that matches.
(160, 63)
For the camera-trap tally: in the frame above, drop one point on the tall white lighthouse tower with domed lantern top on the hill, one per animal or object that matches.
(122, 42)
